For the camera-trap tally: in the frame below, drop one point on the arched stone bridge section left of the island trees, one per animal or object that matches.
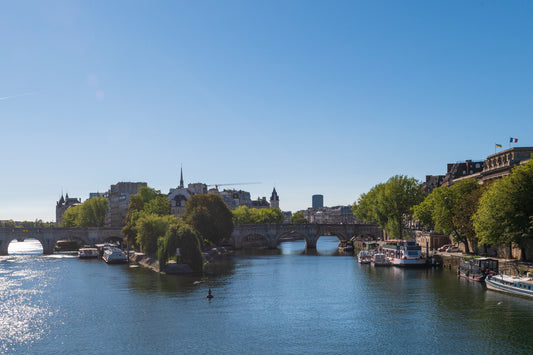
(48, 237)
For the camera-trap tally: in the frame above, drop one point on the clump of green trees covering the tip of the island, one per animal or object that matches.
(151, 228)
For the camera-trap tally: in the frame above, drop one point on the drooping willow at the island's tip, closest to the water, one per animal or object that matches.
(181, 235)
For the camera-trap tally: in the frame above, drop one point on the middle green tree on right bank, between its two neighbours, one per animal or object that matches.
(447, 211)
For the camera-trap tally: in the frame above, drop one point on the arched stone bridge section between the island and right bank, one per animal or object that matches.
(270, 235)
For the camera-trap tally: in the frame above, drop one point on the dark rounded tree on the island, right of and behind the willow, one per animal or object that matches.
(210, 216)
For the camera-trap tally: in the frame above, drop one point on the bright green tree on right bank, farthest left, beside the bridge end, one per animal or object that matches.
(389, 203)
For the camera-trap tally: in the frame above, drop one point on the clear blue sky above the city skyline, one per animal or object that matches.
(309, 97)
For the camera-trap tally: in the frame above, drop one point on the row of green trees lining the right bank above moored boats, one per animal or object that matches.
(497, 213)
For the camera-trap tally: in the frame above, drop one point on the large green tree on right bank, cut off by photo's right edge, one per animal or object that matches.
(505, 212)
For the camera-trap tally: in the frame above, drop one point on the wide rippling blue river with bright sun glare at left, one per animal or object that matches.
(269, 302)
